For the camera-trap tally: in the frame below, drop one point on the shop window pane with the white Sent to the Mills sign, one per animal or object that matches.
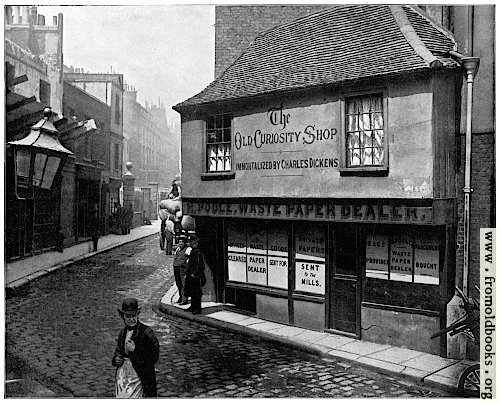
(310, 252)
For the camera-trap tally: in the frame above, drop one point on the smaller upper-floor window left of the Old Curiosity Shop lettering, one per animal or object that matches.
(218, 147)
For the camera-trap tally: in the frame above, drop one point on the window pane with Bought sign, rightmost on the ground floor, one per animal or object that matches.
(427, 260)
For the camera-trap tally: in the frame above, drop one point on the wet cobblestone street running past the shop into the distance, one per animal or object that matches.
(63, 326)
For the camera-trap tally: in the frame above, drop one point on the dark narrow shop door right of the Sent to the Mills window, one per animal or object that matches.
(345, 290)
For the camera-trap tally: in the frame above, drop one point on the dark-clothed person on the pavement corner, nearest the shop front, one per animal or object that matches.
(195, 275)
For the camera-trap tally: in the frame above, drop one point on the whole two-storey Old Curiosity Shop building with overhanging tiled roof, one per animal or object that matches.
(321, 169)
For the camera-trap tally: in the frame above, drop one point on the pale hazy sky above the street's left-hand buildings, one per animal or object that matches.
(165, 51)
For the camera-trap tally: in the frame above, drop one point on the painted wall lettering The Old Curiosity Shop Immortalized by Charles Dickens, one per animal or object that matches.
(282, 139)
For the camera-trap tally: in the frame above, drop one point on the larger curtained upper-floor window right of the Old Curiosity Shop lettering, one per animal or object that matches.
(365, 137)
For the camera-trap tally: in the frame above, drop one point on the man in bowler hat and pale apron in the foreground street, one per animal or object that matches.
(137, 351)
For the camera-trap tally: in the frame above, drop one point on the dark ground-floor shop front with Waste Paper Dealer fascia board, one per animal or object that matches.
(369, 269)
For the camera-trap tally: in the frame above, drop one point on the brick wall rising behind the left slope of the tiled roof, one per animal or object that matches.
(237, 26)
